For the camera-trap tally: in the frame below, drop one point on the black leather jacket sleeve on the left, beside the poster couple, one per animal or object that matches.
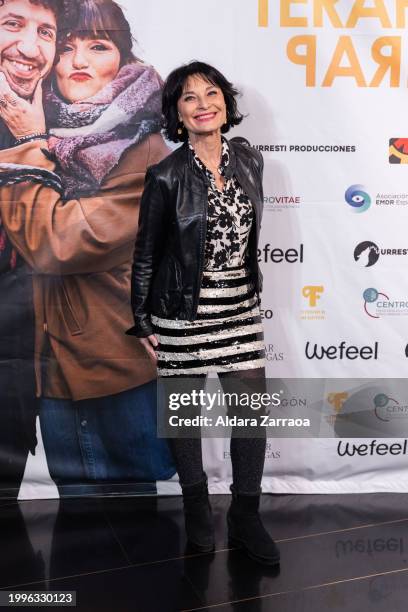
(147, 253)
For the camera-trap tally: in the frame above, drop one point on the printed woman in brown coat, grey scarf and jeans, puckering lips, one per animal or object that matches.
(70, 200)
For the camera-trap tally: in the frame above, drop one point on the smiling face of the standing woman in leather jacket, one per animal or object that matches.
(201, 106)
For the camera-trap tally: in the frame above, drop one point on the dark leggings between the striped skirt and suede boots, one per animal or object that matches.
(247, 454)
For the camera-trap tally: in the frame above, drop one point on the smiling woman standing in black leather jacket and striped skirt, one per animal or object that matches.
(196, 284)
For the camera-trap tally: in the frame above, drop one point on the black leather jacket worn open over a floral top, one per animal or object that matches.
(169, 251)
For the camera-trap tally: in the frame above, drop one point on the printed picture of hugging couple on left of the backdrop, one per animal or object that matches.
(80, 123)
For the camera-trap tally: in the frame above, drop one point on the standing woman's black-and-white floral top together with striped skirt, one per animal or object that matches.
(227, 333)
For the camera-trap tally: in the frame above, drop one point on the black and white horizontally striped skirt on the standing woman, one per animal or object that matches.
(226, 335)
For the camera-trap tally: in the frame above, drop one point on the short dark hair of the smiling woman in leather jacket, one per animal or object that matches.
(173, 89)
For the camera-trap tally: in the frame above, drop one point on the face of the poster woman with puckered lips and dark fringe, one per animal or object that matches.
(85, 67)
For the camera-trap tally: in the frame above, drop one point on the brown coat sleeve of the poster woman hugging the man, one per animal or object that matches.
(90, 234)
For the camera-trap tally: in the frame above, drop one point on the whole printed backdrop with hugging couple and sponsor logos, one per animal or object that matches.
(324, 88)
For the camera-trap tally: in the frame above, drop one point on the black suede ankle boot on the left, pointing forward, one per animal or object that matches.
(198, 517)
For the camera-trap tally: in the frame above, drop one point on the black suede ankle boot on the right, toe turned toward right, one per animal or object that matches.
(246, 530)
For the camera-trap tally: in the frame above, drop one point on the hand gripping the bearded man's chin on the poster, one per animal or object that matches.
(22, 117)
